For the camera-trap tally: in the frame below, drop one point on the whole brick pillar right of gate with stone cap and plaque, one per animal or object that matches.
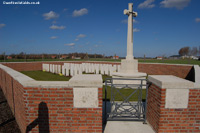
(173, 104)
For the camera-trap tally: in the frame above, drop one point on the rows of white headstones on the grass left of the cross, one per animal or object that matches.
(71, 69)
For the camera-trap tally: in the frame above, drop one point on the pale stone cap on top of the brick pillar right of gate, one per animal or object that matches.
(170, 82)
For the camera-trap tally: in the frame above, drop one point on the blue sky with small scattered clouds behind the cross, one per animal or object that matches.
(161, 28)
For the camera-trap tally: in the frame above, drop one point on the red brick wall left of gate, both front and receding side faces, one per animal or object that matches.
(49, 109)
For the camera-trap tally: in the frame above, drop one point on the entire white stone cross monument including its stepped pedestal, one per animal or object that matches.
(129, 66)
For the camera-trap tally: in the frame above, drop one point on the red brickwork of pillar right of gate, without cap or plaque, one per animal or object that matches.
(173, 120)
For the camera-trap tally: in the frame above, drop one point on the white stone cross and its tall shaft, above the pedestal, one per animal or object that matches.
(130, 14)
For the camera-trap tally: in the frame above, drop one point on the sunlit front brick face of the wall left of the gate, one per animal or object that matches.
(62, 117)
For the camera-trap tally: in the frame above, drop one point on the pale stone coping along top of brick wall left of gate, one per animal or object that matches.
(29, 82)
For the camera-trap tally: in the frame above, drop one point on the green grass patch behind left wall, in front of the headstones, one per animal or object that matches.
(45, 76)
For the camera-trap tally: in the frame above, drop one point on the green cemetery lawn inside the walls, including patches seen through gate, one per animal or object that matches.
(47, 76)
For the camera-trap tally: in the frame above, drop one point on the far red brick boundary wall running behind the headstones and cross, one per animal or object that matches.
(152, 69)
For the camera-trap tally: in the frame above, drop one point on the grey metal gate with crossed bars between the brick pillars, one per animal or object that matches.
(127, 101)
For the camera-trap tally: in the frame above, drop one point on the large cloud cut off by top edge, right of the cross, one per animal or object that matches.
(178, 4)
